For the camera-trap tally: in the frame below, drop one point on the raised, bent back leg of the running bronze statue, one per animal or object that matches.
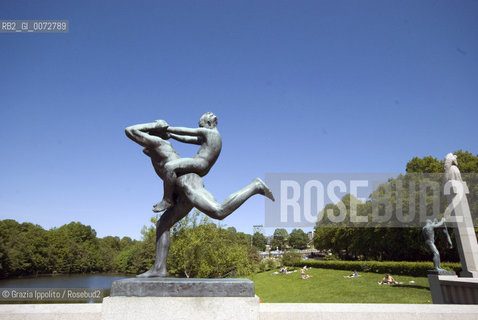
(205, 202)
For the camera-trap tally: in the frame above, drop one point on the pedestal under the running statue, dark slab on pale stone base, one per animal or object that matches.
(170, 298)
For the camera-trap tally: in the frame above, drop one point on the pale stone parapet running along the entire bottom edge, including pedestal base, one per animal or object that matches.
(191, 309)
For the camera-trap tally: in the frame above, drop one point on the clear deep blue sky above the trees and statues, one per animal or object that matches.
(298, 86)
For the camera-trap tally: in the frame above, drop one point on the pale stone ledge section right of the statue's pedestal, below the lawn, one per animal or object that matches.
(346, 311)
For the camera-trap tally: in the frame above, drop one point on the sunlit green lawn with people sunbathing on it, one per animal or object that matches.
(329, 286)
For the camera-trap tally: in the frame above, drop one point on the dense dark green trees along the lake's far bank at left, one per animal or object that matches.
(26, 248)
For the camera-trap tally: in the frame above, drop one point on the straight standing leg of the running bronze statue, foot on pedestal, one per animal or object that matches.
(163, 226)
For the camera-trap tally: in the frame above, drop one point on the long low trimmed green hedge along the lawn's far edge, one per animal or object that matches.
(416, 269)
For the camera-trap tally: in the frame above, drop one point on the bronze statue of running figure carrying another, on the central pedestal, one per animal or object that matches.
(183, 185)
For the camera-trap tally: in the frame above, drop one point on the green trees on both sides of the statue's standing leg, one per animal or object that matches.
(199, 248)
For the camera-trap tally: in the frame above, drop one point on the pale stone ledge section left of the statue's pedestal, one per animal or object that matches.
(80, 311)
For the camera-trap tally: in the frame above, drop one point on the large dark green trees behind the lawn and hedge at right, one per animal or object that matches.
(384, 243)
